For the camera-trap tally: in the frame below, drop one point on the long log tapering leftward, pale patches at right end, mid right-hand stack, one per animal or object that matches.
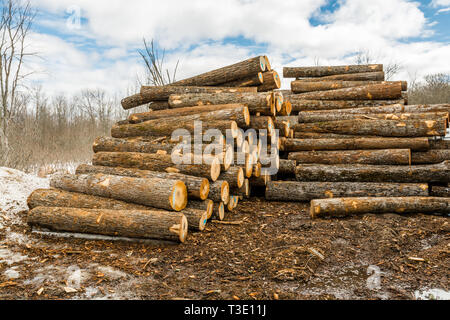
(384, 128)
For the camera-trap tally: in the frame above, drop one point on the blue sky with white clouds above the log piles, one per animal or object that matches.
(94, 44)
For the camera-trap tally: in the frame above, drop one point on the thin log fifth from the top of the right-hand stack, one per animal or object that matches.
(300, 104)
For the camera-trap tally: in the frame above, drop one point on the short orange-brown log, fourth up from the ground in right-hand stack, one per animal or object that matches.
(383, 156)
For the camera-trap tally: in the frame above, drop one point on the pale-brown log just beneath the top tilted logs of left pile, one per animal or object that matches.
(256, 102)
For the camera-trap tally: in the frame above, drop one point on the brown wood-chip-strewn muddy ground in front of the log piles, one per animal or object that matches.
(272, 251)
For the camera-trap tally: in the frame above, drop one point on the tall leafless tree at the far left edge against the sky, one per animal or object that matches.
(15, 23)
